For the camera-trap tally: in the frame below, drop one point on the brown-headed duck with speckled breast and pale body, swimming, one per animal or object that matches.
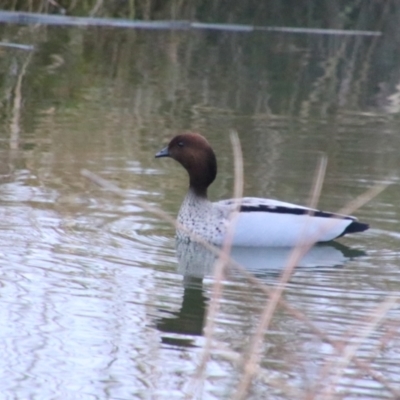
(256, 222)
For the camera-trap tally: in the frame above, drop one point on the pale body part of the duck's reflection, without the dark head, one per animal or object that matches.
(197, 261)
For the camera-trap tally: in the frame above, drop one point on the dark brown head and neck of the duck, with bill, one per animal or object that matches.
(195, 154)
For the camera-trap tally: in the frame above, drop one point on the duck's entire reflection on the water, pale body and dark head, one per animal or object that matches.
(195, 261)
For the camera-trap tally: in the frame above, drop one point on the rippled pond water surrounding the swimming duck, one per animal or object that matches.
(97, 300)
